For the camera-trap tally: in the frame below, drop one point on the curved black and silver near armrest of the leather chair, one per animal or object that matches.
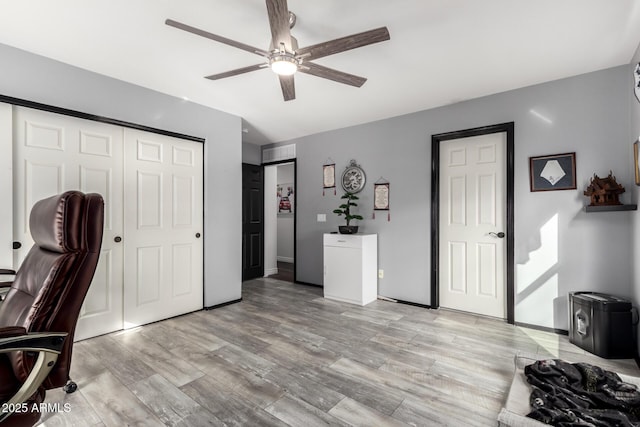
(47, 345)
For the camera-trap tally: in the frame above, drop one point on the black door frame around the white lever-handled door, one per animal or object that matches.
(508, 128)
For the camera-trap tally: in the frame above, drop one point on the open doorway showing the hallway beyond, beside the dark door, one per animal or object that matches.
(280, 220)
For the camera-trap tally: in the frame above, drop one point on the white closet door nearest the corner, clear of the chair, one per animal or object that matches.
(163, 227)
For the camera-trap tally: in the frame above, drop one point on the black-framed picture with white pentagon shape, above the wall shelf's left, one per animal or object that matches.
(554, 172)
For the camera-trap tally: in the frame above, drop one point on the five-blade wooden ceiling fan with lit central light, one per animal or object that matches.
(285, 58)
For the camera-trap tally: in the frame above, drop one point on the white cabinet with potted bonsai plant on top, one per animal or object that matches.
(351, 267)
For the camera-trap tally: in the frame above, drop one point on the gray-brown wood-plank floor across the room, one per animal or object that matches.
(286, 356)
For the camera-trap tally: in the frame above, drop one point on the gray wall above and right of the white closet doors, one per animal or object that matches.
(36, 78)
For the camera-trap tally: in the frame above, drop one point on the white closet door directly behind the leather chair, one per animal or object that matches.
(55, 153)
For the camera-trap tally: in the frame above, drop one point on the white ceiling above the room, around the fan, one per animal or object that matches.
(440, 52)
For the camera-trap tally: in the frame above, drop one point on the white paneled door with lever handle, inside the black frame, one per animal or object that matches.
(472, 213)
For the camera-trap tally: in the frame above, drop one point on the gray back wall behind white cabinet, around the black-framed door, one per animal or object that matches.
(559, 247)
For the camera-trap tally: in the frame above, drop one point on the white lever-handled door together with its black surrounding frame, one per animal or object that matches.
(472, 221)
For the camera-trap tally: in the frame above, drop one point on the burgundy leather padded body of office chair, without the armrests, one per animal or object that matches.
(53, 280)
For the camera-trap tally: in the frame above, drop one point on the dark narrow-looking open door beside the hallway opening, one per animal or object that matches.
(252, 221)
